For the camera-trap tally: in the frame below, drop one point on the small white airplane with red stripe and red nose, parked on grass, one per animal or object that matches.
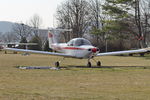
(76, 48)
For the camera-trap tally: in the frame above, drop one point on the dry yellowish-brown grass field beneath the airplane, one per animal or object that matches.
(122, 78)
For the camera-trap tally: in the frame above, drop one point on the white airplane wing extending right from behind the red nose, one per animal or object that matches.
(124, 52)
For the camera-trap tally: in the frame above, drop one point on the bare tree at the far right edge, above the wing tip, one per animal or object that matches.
(141, 20)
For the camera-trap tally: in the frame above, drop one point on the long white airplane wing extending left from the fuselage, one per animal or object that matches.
(37, 52)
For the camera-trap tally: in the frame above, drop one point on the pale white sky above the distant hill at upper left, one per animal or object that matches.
(22, 10)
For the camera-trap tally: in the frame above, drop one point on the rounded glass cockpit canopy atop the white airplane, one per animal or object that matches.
(78, 42)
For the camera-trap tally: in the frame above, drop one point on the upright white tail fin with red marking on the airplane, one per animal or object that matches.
(51, 38)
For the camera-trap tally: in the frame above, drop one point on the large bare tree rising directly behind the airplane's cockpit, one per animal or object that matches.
(74, 14)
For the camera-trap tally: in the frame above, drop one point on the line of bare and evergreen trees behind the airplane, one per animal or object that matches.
(108, 24)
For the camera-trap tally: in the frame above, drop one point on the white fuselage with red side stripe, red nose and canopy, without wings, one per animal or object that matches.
(82, 51)
